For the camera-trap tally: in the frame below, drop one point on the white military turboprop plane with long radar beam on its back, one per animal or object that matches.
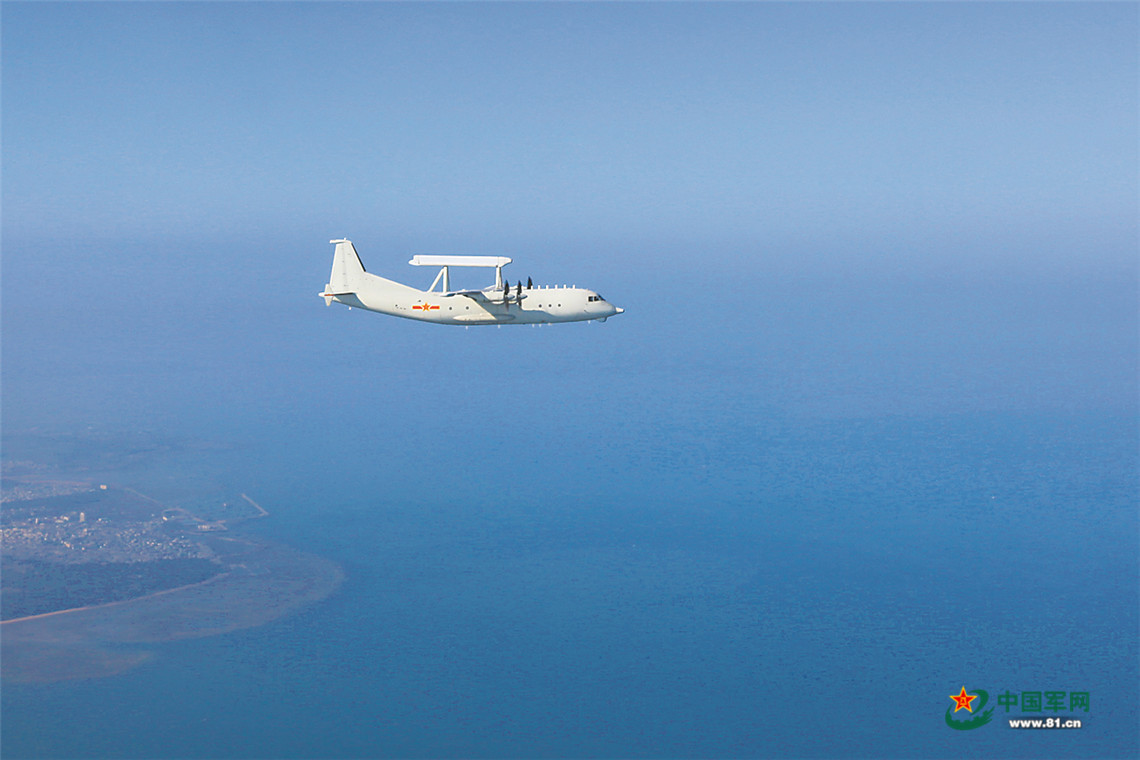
(496, 305)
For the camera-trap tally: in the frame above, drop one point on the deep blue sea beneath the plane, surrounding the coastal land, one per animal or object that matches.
(761, 514)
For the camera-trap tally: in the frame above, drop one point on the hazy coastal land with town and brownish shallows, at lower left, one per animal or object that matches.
(91, 568)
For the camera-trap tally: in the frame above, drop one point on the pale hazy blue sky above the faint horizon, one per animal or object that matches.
(734, 126)
